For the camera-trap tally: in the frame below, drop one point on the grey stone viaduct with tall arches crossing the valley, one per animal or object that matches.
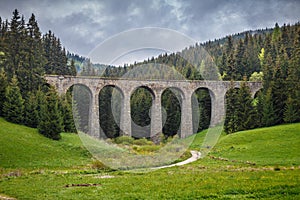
(217, 90)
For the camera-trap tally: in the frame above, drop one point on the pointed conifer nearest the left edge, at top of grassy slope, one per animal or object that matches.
(13, 108)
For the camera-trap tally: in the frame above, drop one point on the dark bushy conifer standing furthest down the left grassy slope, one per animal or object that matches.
(51, 121)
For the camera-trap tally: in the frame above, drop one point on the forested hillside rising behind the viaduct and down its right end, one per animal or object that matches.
(270, 55)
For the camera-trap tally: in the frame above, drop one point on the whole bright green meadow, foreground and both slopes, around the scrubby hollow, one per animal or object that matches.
(34, 167)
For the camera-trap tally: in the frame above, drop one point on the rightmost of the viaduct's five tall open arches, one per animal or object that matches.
(202, 99)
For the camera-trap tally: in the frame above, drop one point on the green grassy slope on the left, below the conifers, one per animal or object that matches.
(24, 148)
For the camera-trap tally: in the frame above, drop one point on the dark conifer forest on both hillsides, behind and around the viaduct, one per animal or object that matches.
(270, 55)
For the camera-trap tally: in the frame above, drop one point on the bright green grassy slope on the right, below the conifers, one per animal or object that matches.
(278, 145)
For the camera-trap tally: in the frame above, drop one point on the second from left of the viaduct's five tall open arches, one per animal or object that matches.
(111, 99)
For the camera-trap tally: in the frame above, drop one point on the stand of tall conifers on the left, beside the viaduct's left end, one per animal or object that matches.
(25, 56)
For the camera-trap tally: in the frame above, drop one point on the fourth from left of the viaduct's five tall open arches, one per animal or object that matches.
(172, 99)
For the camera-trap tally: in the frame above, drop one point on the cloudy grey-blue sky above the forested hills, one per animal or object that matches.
(82, 25)
